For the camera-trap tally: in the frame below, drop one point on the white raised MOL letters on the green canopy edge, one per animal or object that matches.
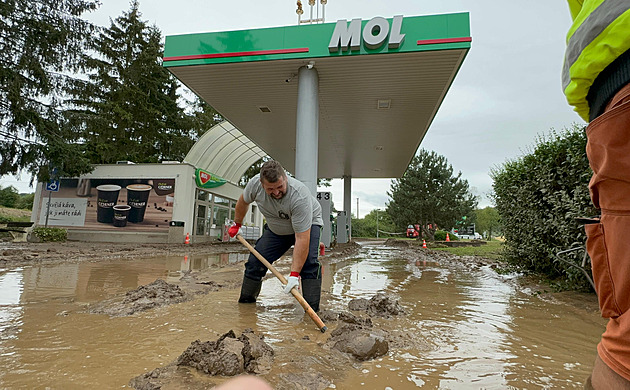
(374, 34)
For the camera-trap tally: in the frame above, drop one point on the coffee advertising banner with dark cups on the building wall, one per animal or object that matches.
(110, 204)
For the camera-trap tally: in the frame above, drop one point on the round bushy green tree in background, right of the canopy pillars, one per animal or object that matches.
(429, 194)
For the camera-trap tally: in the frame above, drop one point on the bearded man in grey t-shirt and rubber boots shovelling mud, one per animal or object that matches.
(294, 217)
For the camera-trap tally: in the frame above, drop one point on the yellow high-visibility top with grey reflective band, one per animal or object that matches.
(599, 35)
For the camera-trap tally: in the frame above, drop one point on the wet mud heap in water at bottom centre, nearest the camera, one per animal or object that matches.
(229, 355)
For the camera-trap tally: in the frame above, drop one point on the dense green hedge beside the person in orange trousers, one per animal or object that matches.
(538, 196)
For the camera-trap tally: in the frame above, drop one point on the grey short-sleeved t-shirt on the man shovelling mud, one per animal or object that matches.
(294, 213)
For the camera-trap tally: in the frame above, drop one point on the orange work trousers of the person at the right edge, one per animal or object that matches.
(608, 243)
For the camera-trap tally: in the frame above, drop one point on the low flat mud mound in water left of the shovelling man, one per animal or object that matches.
(158, 293)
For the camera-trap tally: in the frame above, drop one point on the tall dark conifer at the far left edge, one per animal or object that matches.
(41, 43)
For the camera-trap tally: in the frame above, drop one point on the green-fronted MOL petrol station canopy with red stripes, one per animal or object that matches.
(378, 86)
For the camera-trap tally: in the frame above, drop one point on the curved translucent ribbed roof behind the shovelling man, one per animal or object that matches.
(224, 151)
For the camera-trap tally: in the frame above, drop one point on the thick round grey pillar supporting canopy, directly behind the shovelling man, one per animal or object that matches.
(307, 128)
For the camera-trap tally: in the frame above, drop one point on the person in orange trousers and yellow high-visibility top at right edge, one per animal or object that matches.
(596, 82)
